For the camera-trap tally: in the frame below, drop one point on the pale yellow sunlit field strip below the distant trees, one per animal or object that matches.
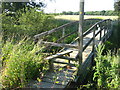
(76, 17)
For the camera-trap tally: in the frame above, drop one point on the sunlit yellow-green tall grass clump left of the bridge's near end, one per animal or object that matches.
(21, 64)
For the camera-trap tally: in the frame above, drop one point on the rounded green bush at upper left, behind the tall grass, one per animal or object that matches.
(23, 24)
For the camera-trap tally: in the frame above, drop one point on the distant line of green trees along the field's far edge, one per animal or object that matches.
(103, 12)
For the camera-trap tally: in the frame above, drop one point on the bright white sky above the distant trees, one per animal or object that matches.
(73, 5)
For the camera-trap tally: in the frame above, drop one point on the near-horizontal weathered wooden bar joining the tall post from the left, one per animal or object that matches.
(58, 44)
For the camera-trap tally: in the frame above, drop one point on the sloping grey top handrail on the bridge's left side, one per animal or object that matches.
(53, 30)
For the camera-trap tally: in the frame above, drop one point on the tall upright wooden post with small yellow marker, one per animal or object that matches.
(80, 32)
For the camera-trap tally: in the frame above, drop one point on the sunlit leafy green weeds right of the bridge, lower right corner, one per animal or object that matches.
(107, 70)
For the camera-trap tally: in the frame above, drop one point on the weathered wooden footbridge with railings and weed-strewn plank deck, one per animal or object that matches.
(72, 63)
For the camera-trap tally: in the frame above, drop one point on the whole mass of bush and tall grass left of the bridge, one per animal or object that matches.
(20, 63)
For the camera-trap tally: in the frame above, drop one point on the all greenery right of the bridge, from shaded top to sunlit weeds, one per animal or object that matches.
(106, 73)
